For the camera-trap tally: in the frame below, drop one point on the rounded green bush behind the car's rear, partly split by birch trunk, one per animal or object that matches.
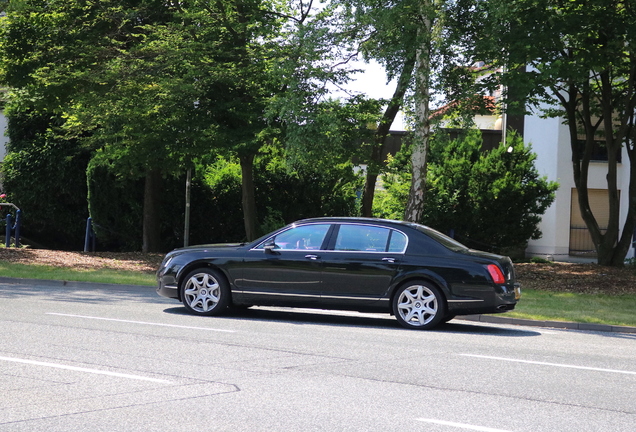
(491, 200)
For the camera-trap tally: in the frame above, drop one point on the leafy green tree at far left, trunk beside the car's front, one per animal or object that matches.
(76, 72)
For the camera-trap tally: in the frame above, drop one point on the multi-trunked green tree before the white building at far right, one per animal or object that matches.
(580, 58)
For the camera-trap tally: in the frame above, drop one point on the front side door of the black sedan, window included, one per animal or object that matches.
(286, 268)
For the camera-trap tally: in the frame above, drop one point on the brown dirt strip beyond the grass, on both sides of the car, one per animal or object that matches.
(559, 277)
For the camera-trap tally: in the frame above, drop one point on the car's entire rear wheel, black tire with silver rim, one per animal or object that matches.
(419, 305)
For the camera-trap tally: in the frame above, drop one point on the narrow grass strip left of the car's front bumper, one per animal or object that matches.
(32, 271)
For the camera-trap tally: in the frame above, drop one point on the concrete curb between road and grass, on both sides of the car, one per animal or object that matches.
(493, 319)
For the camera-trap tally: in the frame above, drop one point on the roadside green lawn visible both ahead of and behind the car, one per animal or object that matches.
(534, 304)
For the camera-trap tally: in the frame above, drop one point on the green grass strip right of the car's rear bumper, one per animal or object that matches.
(574, 307)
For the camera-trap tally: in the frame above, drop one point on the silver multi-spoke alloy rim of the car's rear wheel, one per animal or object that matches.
(417, 305)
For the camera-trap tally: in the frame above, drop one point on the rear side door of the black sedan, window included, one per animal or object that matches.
(360, 264)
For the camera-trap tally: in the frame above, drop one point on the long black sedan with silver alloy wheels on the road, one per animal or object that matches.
(370, 265)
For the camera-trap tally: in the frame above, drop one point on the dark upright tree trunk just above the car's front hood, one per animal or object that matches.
(151, 217)
